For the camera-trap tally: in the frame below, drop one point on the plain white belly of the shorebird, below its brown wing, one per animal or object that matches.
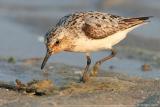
(91, 45)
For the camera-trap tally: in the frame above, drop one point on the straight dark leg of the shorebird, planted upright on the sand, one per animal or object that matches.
(86, 74)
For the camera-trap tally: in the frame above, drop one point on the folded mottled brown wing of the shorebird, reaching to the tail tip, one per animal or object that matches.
(99, 28)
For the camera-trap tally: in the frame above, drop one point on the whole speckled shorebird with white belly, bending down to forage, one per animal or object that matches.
(88, 32)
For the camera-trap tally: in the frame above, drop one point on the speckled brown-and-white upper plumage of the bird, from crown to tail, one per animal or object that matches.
(91, 26)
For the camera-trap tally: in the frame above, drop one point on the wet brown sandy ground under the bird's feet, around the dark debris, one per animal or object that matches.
(108, 89)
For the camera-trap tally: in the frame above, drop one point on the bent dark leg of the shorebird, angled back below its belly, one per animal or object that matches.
(98, 63)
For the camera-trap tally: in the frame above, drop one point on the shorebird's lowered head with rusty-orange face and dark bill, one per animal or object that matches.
(56, 41)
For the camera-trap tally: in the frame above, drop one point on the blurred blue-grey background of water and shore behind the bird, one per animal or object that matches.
(23, 23)
